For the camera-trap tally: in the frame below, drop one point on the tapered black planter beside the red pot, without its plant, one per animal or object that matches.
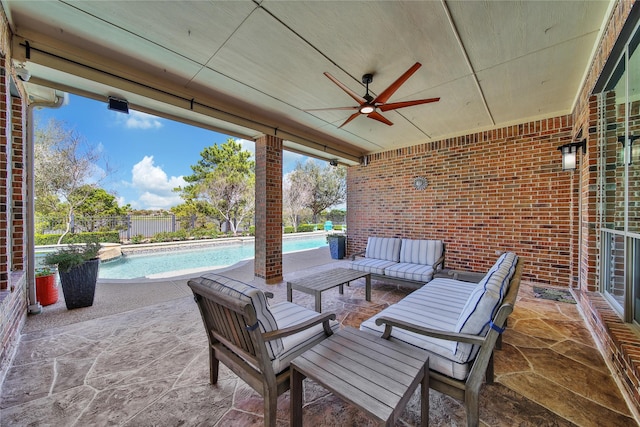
(79, 284)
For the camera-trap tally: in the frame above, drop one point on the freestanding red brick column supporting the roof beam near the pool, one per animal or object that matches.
(268, 260)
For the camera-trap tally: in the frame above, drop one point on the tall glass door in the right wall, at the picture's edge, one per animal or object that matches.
(619, 168)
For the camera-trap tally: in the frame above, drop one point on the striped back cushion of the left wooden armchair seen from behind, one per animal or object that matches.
(252, 295)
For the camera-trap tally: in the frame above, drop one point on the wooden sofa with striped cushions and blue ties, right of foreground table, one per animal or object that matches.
(458, 323)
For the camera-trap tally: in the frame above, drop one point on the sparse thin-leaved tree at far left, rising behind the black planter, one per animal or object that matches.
(63, 163)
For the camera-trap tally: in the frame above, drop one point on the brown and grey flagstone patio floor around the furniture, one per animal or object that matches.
(148, 367)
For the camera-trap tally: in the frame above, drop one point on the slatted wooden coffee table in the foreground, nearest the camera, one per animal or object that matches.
(376, 375)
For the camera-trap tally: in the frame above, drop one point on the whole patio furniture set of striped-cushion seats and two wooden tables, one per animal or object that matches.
(441, 336)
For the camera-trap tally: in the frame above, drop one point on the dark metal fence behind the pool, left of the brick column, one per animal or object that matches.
(127, 225)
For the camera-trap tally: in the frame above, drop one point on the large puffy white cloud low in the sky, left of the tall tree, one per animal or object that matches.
(154, 186)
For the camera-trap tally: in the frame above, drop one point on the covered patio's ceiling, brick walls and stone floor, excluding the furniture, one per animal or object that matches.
(479, 170)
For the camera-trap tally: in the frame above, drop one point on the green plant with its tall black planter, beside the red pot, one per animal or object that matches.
(78, 270)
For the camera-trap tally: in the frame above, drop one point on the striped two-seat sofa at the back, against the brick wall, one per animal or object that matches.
(407, 262)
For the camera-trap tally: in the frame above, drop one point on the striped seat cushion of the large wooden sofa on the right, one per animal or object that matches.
(435, 305)
